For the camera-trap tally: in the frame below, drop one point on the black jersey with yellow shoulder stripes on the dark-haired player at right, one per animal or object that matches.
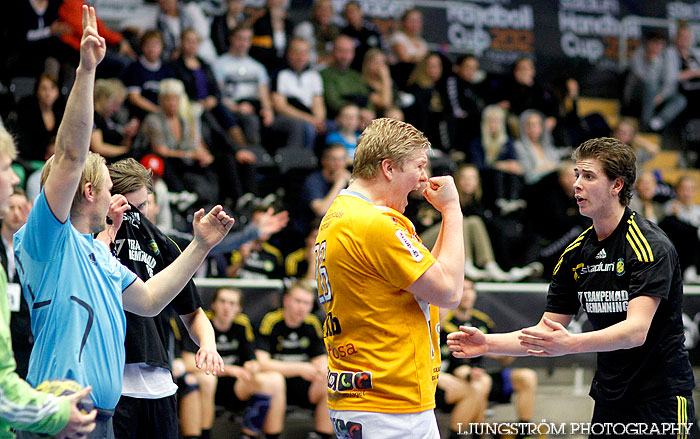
(637, 259)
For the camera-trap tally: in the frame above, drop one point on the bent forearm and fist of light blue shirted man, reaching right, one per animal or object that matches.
(148, 299)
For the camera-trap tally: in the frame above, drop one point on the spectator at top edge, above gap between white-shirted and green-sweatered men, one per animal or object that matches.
(320, 32)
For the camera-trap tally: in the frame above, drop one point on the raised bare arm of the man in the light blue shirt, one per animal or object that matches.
(73, 138)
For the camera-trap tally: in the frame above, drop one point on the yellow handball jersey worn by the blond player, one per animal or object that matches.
(382, 341)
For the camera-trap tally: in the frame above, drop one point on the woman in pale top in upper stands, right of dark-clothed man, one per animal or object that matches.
(408, 47)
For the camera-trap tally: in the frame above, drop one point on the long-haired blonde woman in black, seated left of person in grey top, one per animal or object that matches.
(493, 153)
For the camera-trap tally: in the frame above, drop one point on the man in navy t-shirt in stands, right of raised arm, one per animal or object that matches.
(142, 78)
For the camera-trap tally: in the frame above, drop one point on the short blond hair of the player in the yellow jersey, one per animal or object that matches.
(386, 139)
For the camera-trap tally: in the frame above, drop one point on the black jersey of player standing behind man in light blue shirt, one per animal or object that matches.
(145, 250)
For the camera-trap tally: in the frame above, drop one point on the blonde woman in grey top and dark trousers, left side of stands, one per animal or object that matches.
(173, 135)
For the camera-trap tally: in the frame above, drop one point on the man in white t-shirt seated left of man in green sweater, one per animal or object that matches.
(297, 92)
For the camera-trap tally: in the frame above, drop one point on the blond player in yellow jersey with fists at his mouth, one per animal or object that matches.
(380, 288)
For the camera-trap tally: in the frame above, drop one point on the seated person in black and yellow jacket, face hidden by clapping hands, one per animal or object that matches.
(257, 258)
